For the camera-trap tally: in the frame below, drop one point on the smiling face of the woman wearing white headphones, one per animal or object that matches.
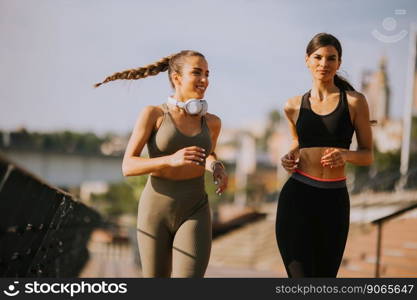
(193, 81)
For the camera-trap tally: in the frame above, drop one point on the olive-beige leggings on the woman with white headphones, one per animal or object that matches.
(174, 228)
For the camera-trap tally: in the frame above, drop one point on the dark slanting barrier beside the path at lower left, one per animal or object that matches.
(43, 230)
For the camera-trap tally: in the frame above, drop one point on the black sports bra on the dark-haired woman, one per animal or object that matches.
(331, 130)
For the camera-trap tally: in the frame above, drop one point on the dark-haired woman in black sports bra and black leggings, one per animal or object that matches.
(313, 210)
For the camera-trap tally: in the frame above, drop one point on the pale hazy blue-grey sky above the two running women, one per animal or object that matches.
(53, 51)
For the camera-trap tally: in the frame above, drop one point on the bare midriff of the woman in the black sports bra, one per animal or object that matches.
(310, 164)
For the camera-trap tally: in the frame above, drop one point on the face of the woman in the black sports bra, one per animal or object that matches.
(323, 63)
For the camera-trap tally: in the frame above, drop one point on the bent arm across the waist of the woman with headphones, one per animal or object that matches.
(134, 165)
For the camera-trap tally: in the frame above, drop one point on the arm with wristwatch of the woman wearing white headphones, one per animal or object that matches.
(212, 163)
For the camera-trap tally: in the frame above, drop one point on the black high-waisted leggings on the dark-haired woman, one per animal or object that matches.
(311, 228)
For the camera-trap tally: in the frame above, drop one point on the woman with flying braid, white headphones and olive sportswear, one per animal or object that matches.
(174, 224)
